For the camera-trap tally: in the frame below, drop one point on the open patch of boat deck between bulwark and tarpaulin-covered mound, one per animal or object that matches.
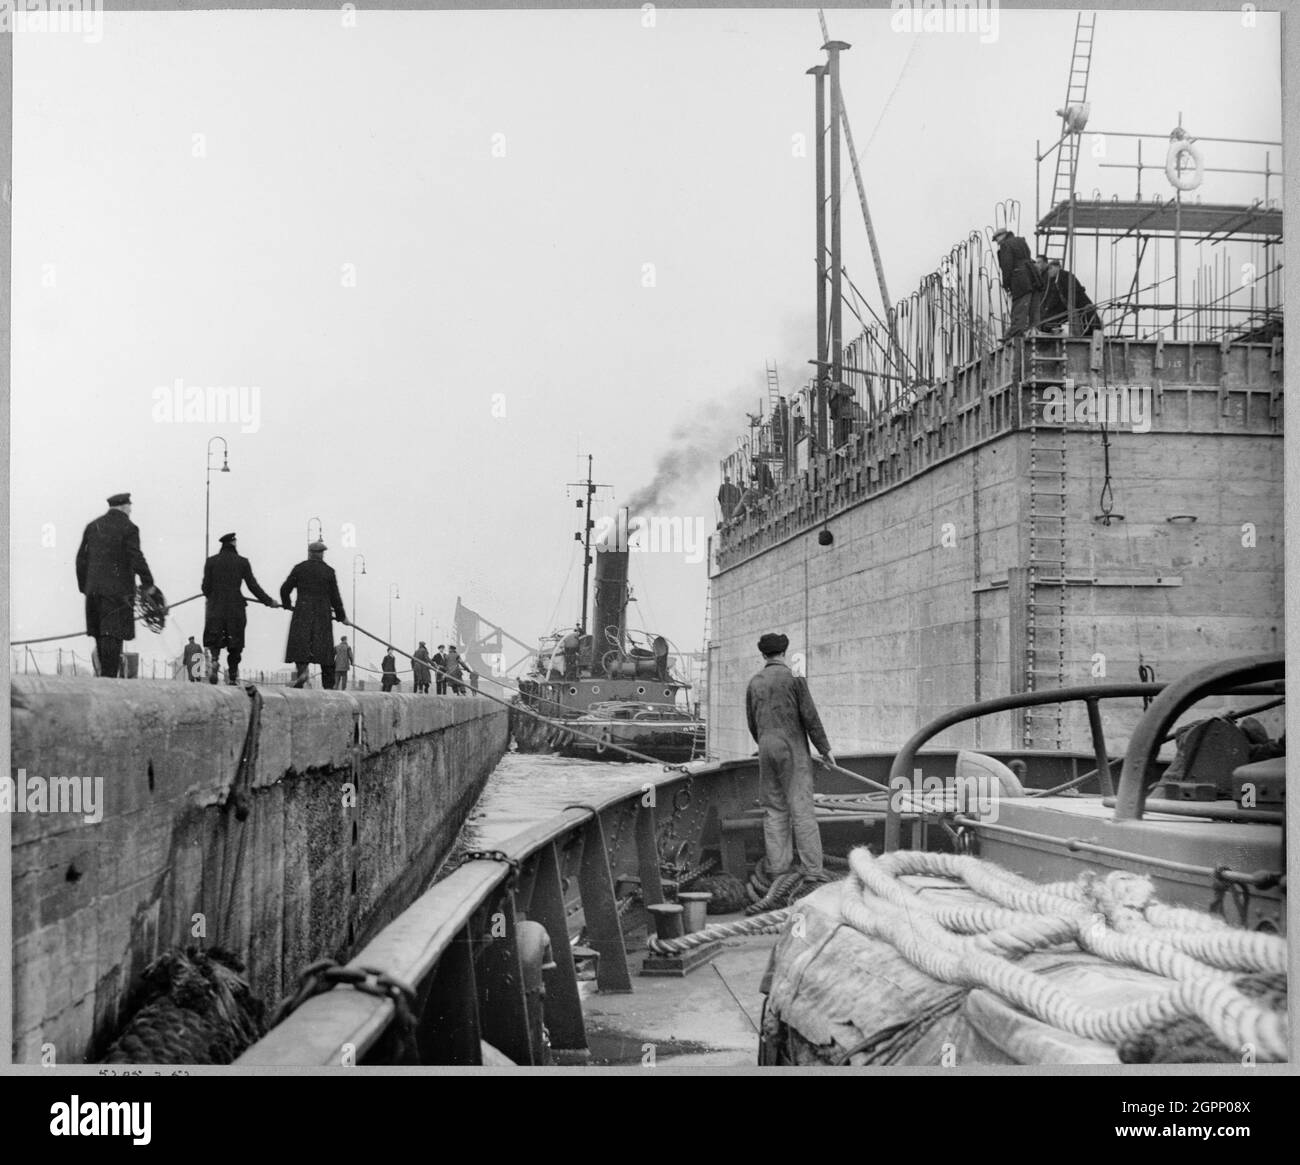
(709, 1019)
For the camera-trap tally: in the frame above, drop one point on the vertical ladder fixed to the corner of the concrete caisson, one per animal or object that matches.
(1046, 616)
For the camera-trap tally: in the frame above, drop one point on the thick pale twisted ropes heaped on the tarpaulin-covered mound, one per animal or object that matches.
(1223, 1001)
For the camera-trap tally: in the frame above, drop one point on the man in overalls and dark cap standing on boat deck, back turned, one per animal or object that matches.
(782, 718)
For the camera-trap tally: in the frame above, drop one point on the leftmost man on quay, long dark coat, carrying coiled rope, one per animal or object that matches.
(109, 561)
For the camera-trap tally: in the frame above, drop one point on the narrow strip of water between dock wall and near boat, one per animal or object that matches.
(530, 789)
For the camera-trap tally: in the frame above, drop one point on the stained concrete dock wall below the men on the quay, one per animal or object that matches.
(352, 800)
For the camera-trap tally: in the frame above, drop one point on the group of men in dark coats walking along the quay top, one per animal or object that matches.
(110, 561)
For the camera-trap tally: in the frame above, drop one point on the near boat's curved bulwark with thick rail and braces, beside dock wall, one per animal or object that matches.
(454, 965)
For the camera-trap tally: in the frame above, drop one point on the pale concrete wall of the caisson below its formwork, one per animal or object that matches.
(921, 604)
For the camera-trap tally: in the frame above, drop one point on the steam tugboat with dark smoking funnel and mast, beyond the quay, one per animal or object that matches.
(608, 692)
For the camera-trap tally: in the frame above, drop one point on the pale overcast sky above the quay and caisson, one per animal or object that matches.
(426, 240)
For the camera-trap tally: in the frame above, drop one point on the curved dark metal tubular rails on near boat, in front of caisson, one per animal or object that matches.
(1253, 675)
